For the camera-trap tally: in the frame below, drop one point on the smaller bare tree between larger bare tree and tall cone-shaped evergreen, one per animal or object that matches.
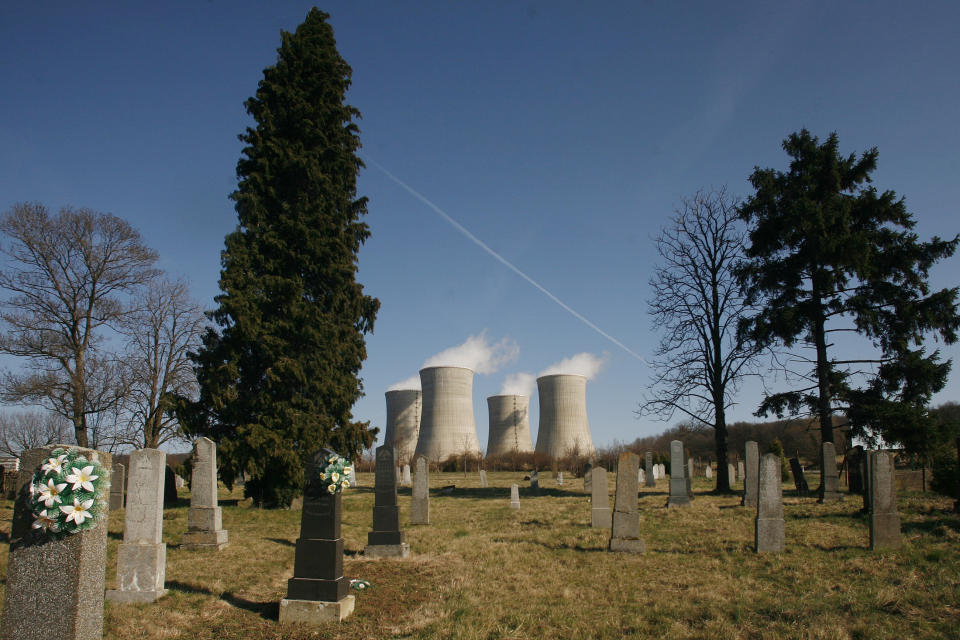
(161, 332)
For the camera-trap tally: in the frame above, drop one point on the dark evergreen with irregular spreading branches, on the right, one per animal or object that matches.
(829, 254)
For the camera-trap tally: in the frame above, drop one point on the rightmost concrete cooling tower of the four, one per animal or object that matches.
(563, 416)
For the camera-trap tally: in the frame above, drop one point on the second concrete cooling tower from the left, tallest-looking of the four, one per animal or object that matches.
(447, 427)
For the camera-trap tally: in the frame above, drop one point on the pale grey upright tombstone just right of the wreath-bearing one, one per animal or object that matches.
(142, 556)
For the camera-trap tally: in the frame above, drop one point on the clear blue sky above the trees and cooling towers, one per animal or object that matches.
(562, 135)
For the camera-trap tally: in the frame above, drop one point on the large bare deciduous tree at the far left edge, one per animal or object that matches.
(66, 277)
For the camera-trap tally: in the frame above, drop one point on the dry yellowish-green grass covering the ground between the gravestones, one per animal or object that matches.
(481, 570)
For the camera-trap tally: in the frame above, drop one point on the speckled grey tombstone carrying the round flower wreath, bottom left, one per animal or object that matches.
(63, 577)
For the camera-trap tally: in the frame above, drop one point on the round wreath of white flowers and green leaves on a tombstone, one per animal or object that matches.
(68, 493)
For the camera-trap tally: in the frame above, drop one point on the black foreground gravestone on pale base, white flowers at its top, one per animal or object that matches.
(318, 591)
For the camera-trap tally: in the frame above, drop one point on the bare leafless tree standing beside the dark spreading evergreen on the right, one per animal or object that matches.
(697, 304)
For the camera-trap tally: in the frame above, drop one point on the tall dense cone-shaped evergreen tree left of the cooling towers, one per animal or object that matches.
(279, 378)
